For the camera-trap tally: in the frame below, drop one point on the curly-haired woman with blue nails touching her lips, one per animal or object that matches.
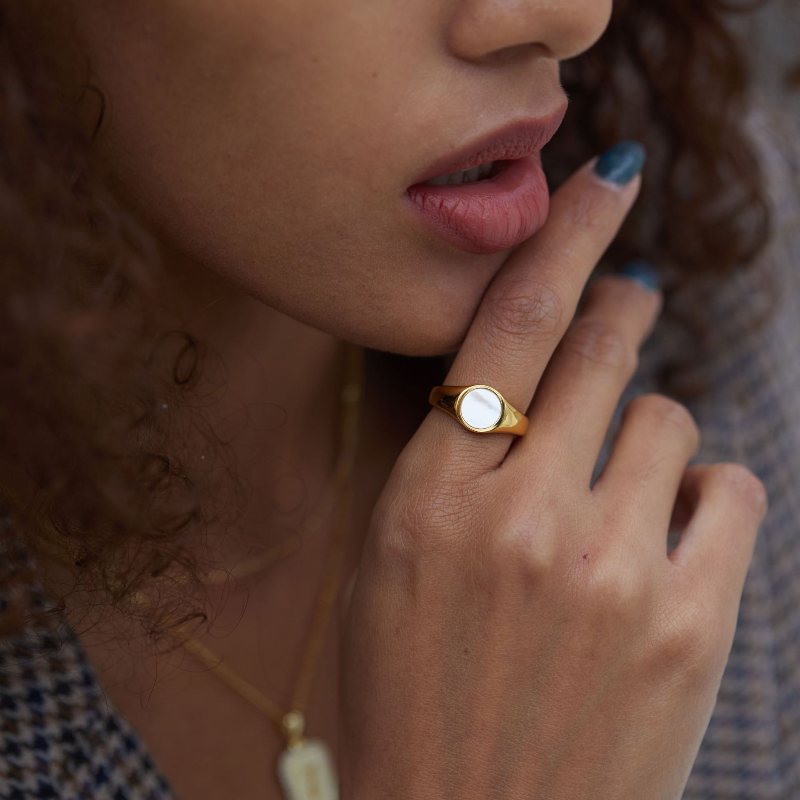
(203, 202)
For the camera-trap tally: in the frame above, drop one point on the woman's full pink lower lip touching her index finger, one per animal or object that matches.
(487, 216)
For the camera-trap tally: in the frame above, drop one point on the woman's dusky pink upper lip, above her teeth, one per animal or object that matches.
(516, 140)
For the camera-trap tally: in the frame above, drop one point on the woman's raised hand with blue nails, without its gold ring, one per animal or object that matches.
(512, 632)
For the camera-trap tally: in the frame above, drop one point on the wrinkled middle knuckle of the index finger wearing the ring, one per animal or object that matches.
(525, 308)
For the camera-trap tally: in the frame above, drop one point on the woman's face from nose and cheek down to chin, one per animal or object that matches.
(275, 141)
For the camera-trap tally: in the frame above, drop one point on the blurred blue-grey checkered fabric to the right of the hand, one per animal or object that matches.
(751, 414)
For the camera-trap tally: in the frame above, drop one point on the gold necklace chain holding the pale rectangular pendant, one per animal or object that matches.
(291, 722)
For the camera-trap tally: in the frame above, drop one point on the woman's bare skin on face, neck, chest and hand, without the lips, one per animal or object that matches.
(269, 145)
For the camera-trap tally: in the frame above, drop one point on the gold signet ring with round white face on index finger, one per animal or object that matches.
(479, 408)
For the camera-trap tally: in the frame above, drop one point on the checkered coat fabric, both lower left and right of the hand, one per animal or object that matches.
(60, 738)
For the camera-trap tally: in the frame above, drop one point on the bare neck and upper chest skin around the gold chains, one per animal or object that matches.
(281, 390)
